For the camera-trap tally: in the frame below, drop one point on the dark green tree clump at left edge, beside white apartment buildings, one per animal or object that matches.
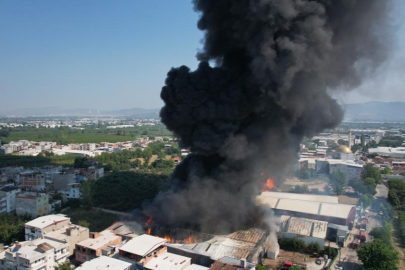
(11, 228)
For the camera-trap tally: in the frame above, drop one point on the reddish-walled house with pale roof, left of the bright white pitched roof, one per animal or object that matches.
(93, 246)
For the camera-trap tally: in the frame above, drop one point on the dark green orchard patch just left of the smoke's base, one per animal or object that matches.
(125, 191)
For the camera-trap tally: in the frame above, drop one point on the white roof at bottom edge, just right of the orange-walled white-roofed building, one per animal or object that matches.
(168, 261)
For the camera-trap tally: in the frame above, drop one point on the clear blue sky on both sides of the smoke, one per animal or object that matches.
(115, 54)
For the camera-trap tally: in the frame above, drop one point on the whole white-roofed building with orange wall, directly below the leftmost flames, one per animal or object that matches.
(140, 250)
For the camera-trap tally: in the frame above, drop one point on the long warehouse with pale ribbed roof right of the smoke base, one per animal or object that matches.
(308, 206)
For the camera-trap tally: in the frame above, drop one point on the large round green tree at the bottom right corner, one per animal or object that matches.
(377, 255)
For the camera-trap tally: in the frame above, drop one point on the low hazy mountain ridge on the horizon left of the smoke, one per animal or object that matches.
(57, 111)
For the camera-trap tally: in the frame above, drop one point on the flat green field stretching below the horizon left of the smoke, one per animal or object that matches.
(88, 135)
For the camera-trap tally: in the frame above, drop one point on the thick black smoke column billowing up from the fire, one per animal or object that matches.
(274, 63)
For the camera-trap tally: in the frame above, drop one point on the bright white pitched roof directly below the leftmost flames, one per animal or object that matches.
(143, 245)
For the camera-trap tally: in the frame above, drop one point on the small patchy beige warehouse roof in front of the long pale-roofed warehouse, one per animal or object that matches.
(303, 226)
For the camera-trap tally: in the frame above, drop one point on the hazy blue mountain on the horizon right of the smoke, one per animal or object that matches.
(375, 111)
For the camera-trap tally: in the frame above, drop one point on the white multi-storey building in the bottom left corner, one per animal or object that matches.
(40, 254)
